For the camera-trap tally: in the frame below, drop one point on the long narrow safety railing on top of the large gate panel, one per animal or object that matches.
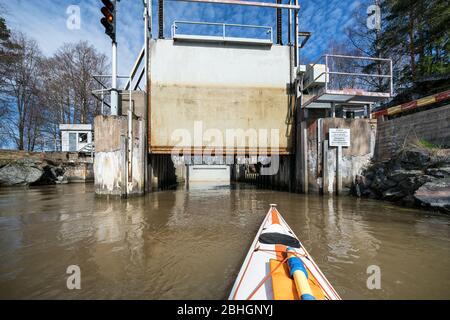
(214, 31)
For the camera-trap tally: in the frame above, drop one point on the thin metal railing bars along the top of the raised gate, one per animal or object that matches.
(224, 35)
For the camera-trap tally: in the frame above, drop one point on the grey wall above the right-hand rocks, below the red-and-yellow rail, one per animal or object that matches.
(431, 125)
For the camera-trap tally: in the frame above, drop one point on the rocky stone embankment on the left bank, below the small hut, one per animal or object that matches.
(19, 168)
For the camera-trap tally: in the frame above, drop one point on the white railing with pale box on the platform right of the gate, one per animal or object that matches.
(342, 74)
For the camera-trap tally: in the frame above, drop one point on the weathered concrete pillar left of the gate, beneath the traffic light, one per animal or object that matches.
(114, 175)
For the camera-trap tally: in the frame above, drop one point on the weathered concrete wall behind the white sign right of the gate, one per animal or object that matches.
(321, 161)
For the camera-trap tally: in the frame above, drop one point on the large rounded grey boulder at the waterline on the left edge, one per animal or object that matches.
(21, 172)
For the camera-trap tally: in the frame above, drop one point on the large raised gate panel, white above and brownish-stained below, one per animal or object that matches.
(224, 86)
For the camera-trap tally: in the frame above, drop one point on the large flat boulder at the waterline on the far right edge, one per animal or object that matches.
(435, 194)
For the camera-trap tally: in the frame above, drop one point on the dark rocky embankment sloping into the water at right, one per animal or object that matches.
(415, 176)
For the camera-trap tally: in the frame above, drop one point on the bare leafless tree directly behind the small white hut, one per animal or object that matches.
(68, 86)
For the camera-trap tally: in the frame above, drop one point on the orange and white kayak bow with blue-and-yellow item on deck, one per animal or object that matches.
(278, 267)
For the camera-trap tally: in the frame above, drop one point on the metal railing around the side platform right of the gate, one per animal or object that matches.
(355, 72)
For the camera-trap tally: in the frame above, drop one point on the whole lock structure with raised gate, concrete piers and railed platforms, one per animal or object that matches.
(237, 104)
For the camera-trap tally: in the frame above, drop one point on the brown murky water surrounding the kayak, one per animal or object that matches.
(190, 244)
